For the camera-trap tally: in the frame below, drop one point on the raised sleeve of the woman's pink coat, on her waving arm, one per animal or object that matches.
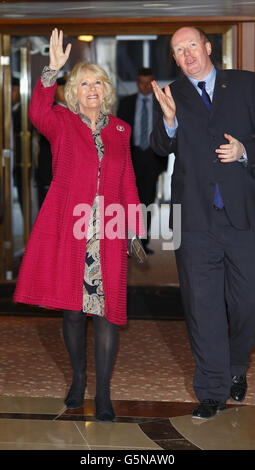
(41, 110)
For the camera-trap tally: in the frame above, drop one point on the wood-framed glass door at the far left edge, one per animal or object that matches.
(15, 161)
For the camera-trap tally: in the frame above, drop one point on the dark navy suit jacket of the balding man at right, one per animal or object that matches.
(199, 133)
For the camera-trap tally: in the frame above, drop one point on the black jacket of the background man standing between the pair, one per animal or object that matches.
(147, 165)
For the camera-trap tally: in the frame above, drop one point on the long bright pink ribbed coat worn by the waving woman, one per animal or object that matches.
(52, 268)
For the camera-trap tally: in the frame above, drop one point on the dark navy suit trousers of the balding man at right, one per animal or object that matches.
(216, 272)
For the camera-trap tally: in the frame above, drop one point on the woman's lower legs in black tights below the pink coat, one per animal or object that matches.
(106, 340)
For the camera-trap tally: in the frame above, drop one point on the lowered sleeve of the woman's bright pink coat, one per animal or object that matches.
(130, 198)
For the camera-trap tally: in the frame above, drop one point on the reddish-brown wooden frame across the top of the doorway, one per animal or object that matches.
(243, 30)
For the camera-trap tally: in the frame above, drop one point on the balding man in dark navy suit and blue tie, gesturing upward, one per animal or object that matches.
(207, 118)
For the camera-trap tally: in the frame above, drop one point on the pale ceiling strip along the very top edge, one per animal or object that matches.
(124, 8)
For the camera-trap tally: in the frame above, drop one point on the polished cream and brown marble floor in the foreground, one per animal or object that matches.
(45, 424)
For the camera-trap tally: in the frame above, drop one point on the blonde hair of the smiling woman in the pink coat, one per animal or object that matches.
(71, 86)
